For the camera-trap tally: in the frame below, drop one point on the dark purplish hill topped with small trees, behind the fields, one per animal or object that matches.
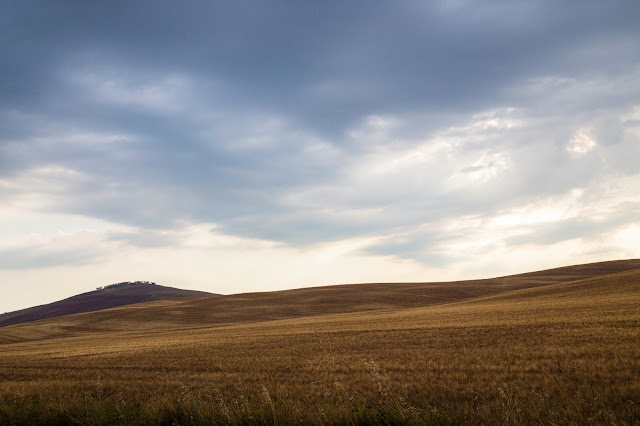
(110, 296)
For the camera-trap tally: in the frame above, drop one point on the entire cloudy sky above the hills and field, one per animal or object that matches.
(252, 146)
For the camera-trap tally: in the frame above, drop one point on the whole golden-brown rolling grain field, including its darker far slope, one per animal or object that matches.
(553, 347)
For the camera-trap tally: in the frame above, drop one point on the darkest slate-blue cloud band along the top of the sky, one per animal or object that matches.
(326, 64)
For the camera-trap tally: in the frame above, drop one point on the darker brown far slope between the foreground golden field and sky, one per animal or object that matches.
(248, 308)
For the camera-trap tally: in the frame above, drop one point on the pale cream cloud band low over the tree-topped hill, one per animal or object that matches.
(52, 264)
